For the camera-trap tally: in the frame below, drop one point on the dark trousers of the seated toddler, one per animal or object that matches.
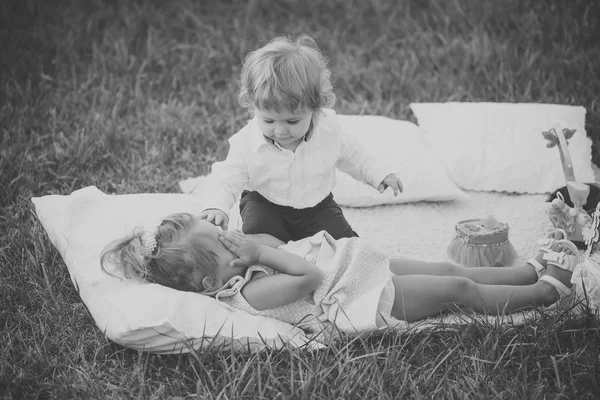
(259, 215)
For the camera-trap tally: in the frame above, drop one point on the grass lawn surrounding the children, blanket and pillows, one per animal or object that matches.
(132, 96)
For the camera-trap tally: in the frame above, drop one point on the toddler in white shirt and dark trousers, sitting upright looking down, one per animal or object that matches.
(283, 162)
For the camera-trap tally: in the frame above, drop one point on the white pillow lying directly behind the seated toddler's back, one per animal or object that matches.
(400, 144)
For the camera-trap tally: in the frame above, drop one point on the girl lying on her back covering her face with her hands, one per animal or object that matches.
(345, 282)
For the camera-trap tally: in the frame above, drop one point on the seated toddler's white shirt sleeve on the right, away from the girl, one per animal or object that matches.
(357, 162)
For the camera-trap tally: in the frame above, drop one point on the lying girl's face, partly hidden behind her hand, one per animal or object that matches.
(208, 236)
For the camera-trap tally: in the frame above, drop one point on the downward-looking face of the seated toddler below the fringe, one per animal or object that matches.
(284, 127)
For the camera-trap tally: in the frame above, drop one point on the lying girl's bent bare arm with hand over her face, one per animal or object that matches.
(297, 278)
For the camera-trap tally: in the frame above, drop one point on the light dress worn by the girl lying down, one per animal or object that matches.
(356, 293)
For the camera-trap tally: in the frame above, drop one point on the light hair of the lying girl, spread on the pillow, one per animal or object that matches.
(177, 262)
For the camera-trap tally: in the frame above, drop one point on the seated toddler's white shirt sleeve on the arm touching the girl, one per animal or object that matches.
(228, 178)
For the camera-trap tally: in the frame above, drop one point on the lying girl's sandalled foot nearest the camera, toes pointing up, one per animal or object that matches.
(561, 259)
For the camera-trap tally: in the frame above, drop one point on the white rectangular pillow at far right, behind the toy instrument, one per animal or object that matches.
(499, 146)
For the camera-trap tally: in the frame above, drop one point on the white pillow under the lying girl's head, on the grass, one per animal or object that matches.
(136, 314)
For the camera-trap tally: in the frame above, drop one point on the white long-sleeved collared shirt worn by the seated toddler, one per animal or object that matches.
(299, 179)
